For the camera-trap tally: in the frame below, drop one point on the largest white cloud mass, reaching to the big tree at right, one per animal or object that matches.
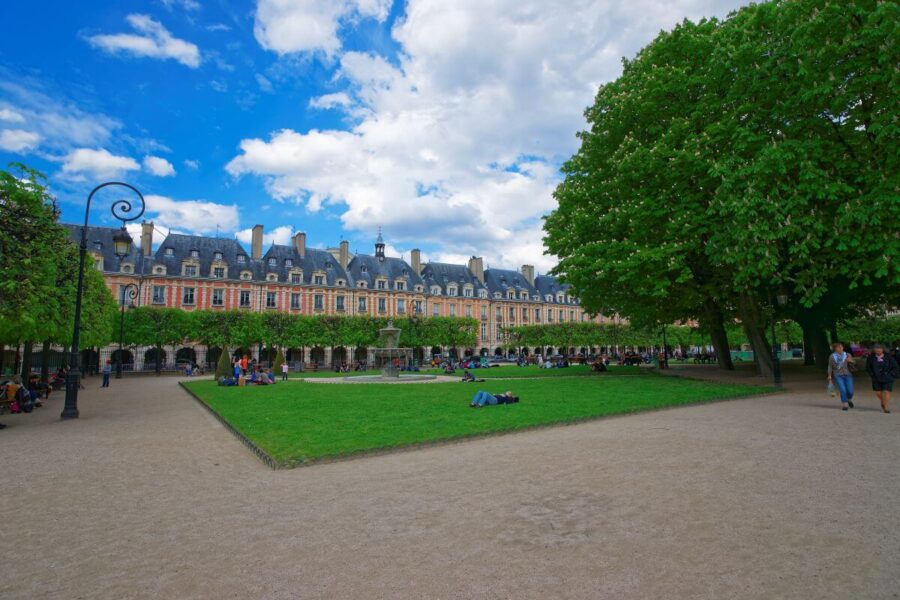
(467, 131)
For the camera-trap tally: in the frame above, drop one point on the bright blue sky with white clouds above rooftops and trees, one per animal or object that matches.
(444, 123)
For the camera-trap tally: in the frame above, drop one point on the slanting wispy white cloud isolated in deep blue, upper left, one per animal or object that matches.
(152, 40)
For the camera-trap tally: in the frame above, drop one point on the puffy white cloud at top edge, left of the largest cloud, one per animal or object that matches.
(286, 26)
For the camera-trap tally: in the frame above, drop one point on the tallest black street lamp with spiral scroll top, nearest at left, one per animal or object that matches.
(120, 209)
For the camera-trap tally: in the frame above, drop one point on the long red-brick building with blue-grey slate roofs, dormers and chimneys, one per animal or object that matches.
(196, 272)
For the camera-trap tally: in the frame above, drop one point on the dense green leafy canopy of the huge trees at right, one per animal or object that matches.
(732, 157)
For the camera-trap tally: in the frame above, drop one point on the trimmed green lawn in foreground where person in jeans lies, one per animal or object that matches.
(295, 422)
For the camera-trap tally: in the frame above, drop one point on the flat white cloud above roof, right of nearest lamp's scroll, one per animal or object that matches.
(191, 216)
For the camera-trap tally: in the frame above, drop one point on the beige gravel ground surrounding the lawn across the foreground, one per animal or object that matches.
(147, 496)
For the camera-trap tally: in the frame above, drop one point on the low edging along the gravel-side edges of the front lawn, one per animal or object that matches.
(370, 452)
